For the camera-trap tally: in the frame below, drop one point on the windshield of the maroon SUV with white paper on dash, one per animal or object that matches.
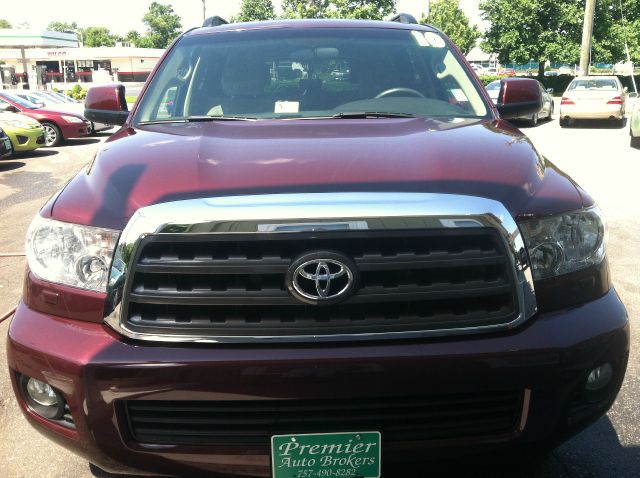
(313, 72)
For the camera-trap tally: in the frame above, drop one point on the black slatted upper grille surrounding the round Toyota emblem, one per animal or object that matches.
(226, 285)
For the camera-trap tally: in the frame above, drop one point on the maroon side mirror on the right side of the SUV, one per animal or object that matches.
(519, 97)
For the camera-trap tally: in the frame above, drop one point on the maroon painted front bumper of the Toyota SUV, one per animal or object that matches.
(95, 369)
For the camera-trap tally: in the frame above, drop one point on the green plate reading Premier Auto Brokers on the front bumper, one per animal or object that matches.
(327, 455)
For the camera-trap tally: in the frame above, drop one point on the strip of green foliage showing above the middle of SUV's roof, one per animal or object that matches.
(354, 9)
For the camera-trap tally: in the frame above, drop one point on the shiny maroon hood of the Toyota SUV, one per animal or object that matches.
(169, 162)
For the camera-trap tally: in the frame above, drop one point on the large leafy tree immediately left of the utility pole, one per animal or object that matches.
(524, 30)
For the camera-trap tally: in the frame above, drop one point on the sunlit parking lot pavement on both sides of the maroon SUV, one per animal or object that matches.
(596, 155)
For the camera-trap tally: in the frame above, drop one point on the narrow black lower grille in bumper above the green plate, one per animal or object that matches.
(253, 422)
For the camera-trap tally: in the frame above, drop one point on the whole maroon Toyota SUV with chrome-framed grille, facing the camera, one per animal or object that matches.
(270, 270)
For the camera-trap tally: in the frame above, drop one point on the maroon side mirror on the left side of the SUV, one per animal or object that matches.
(106, 104)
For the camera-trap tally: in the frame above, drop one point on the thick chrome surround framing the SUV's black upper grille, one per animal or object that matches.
(304, 212)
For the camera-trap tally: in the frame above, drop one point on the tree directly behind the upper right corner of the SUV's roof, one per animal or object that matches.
(448, 17)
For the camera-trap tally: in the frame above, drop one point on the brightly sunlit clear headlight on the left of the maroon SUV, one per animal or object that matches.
(70, 254)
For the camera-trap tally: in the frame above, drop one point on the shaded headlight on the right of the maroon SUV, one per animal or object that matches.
(565, 243)
